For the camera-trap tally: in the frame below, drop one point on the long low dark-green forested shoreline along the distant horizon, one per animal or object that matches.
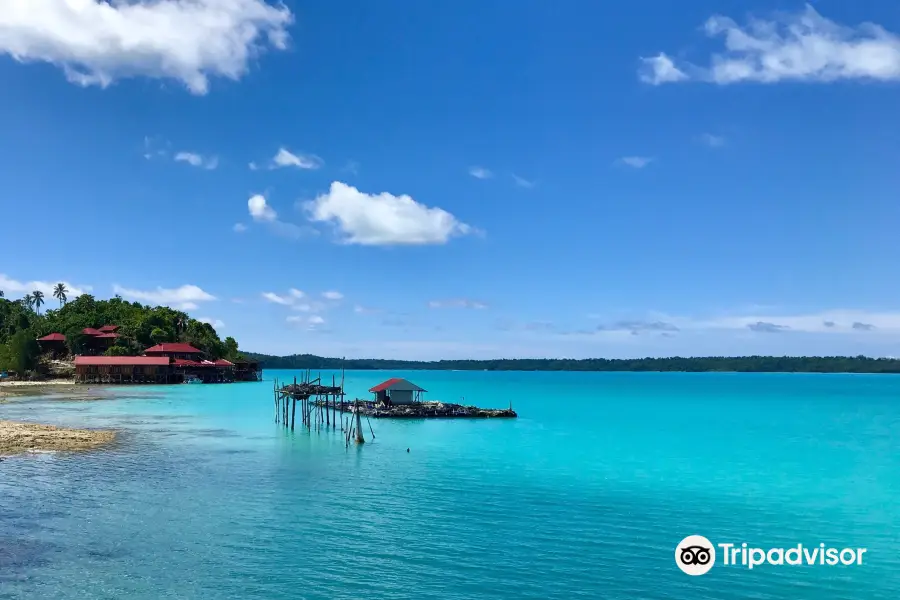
(714, 364)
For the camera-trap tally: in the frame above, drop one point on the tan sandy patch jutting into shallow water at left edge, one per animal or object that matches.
(16, 438)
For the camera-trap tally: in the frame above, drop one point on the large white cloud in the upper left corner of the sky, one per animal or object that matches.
(96, 42)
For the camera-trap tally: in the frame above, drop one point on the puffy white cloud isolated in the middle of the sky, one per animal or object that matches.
(383, 219)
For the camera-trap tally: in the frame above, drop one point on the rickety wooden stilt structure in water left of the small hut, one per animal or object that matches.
(320, 405)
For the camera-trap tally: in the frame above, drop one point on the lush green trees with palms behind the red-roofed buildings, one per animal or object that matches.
(24, 320)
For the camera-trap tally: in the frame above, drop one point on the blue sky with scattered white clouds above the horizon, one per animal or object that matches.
(475, 179)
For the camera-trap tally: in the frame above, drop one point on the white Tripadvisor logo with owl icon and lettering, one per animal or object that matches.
(696, 555)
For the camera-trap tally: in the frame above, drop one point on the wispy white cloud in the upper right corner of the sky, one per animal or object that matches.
(800, 46)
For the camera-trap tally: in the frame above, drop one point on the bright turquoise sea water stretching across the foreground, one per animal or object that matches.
(584, 496)
